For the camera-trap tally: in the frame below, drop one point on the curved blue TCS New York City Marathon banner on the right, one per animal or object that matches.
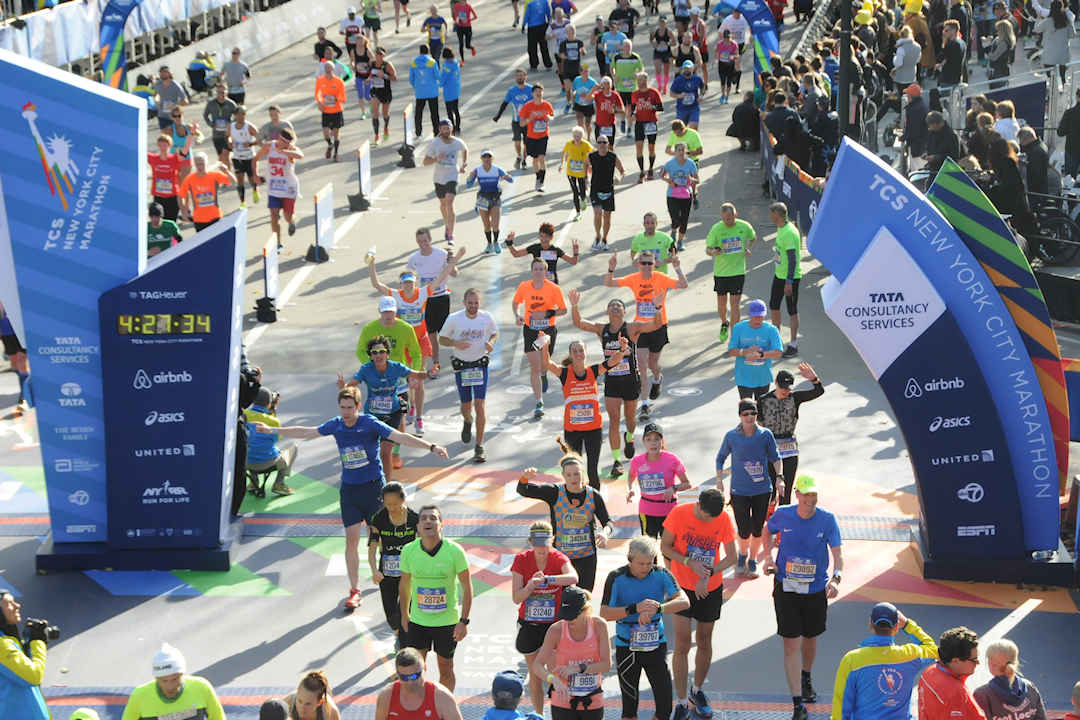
(939, 338)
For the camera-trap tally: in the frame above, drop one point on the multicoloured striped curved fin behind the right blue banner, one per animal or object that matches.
(989, 238)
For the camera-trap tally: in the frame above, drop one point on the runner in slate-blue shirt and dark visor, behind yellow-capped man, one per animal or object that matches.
(752, 450)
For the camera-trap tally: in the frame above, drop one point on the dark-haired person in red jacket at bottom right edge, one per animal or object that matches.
(942, 692)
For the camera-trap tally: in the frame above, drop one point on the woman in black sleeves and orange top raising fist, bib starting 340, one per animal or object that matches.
(575, 509)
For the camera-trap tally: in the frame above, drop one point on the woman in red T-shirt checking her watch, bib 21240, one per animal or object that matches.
(538, 577)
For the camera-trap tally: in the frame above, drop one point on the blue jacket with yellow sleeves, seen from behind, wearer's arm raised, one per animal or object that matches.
(875, 682)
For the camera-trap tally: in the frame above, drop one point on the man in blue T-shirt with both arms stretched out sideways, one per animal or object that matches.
(358, 437)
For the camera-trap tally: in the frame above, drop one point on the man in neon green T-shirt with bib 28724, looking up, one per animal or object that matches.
(433, 567)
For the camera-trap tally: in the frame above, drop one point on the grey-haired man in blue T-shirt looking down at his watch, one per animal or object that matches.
(637, 596)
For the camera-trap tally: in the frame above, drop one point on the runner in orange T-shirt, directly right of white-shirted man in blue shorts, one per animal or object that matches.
(537, 304)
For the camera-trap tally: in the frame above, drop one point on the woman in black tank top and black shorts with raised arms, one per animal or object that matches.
(623, 386)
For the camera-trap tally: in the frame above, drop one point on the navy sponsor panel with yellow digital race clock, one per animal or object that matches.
(171, 345)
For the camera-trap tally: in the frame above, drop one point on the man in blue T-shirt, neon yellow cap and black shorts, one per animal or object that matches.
(807, 535)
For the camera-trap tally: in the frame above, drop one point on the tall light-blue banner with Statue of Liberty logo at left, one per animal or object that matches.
(73, 185)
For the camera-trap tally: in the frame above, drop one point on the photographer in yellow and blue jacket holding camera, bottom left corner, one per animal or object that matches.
(22, 665)
